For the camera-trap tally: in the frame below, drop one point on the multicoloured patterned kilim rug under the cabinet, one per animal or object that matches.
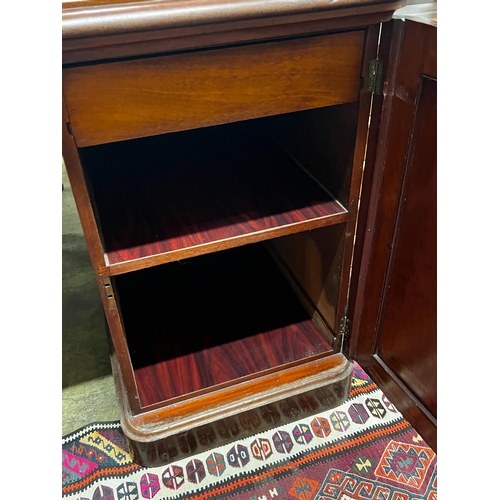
(361, 450)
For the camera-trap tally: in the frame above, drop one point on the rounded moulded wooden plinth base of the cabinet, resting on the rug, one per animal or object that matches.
(179, 429)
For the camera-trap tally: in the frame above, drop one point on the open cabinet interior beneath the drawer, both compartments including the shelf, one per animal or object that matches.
(225, 245)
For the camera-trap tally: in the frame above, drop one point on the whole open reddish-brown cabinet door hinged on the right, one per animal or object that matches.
(394, 321)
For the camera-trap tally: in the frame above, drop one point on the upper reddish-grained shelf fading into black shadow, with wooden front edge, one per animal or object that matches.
(194, 192)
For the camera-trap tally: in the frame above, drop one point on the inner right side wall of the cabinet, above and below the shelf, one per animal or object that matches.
(322, 141)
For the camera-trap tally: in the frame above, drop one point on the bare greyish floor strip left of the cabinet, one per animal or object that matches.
(88, 393)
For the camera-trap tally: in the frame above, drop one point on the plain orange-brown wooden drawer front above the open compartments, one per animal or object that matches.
(136, 98)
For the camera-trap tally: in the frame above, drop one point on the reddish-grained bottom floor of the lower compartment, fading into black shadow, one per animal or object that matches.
(212, 320)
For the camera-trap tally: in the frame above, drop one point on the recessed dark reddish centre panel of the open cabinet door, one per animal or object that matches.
(411, 303)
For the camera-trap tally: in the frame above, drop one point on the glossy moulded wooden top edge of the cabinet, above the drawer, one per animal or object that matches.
(84, 18)
